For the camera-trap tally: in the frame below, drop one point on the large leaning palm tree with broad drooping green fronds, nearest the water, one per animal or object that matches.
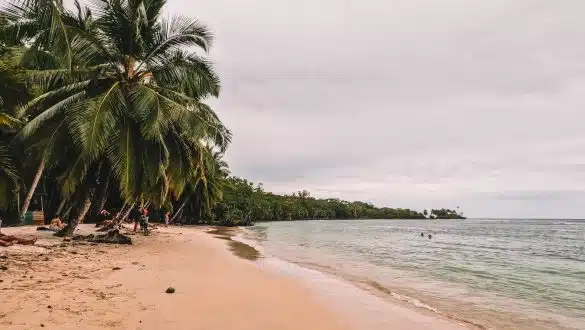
(130, 82)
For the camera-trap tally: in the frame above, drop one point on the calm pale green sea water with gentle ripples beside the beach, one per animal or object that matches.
(500, 274)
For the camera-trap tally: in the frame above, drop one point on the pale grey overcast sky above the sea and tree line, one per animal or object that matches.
(406, 103)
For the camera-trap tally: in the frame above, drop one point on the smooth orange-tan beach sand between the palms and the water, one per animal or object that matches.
(64, 285)
